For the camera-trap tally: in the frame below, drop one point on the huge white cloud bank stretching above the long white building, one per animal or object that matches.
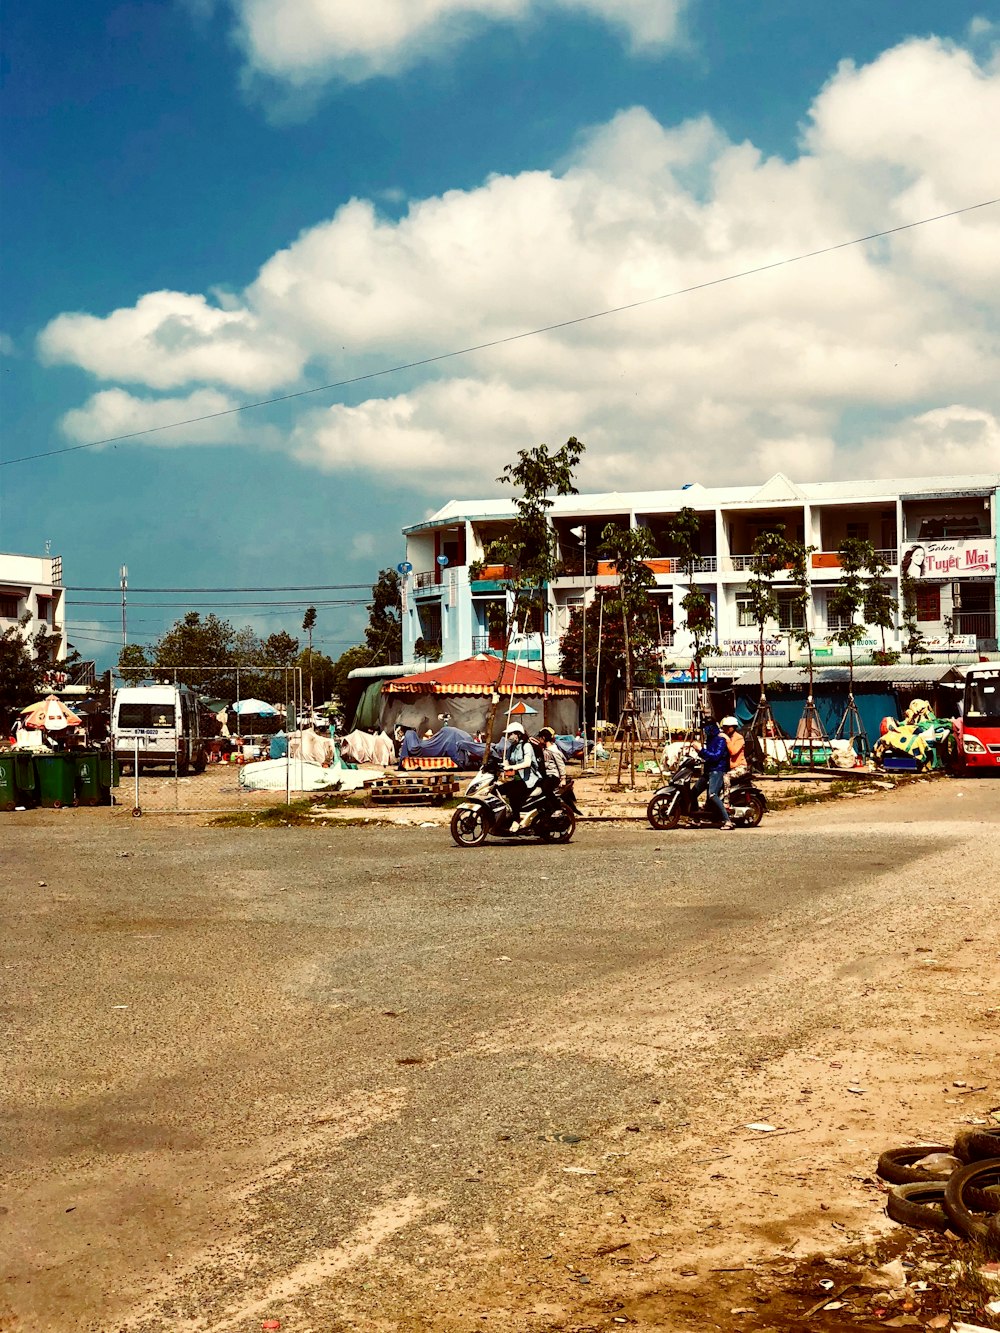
(782, 370)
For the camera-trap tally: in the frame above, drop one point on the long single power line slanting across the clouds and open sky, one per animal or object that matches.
(510, 338)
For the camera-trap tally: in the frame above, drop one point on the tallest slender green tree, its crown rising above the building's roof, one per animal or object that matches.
(529, 546)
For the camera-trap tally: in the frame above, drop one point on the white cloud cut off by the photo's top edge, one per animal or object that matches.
(303, 42)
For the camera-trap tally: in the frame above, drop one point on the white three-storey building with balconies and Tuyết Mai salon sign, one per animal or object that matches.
(939, 531)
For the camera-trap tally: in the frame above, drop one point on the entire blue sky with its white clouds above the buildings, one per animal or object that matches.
(211, 203)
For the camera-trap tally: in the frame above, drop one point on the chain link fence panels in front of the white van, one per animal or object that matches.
(209, 739)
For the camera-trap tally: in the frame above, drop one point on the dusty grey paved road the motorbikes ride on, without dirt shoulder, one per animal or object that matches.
(323, 1070)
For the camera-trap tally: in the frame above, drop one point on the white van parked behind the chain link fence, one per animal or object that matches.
(158, 726)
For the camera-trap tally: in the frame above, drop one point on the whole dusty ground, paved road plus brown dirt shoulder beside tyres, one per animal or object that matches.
(359, 1079)
